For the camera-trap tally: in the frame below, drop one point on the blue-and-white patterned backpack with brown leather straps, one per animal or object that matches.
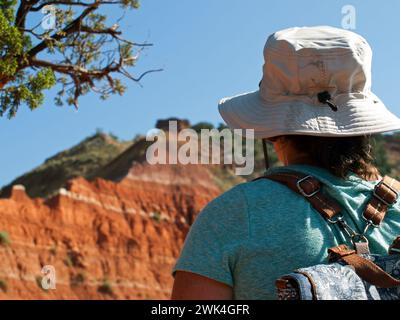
(352, 273)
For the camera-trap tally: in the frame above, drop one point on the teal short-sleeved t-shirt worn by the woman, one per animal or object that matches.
(258, 231)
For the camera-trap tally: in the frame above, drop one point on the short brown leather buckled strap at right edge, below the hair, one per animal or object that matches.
(385, 194)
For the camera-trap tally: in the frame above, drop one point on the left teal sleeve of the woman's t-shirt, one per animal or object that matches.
(213, 241)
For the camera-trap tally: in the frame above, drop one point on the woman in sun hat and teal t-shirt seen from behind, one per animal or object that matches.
(315, 104)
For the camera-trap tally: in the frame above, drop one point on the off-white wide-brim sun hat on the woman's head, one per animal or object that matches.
(316, 81)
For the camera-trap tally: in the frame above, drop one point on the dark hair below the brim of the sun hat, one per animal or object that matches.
(340, 155)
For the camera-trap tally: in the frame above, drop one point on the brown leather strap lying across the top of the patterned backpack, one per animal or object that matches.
(366, 269)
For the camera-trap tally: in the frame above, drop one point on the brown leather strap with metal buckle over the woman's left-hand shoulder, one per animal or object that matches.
(310, 188)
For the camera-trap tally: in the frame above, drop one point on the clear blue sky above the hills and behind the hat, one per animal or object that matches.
(208, 49)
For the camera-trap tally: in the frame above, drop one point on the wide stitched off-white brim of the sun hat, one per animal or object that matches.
(355, 116)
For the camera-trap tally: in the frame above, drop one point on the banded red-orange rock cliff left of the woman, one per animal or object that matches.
(105, 239)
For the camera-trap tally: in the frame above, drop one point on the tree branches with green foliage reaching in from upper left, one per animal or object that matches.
(73, 45)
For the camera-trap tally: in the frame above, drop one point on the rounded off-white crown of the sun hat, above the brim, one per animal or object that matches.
(305, 61)
